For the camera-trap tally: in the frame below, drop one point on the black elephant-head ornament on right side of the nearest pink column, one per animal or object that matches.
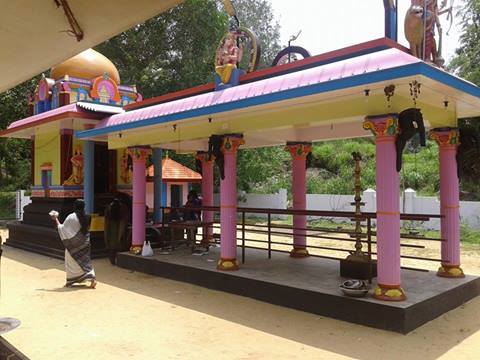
(407, 120)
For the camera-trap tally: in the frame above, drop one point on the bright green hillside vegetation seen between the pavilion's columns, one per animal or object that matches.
(268, 170)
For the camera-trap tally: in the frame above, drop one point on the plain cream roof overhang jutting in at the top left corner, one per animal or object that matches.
(42, 30)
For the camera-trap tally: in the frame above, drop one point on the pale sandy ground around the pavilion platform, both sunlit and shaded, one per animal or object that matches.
(136, 316)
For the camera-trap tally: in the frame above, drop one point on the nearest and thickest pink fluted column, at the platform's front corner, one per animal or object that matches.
(385, 128)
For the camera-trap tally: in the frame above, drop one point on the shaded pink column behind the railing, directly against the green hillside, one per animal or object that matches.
(299, 152)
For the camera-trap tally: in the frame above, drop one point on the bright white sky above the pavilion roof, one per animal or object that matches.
(330, 25)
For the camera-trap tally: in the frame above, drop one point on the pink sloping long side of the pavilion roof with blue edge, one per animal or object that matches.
(251, 93)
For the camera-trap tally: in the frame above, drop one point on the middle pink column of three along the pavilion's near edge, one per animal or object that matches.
(228, 204)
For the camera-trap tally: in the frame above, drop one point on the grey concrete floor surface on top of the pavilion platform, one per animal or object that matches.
(315, 274)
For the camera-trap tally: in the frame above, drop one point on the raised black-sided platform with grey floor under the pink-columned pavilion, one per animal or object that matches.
(311, 285)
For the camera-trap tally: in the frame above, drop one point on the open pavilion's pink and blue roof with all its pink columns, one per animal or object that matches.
(379, 88)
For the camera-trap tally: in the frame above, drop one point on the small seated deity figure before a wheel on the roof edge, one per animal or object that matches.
(228, 55)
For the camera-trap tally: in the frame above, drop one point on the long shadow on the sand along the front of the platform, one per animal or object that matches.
(430, 341)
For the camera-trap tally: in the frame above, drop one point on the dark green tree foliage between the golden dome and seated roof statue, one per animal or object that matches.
(169, 52)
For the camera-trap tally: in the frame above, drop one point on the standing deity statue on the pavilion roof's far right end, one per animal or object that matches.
(422, 22)
